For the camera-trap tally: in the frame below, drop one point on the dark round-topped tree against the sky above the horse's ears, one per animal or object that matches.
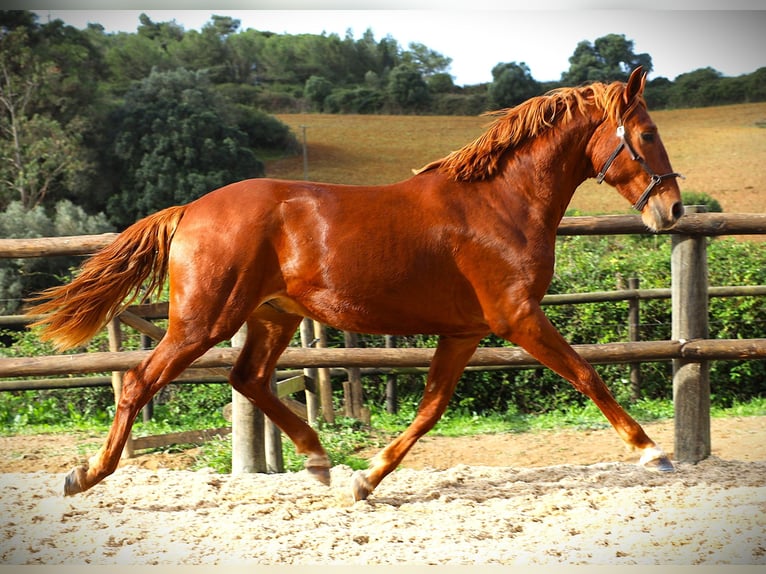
(609, 58)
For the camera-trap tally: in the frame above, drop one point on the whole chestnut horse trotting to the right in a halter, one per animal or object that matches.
(463, 248)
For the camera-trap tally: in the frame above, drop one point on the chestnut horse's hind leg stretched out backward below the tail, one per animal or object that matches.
(140, 384)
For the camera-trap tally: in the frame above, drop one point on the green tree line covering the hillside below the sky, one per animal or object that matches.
(99, 129)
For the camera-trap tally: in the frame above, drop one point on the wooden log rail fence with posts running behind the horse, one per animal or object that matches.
(689, 349)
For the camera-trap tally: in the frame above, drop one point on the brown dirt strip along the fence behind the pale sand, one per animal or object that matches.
(732, 439)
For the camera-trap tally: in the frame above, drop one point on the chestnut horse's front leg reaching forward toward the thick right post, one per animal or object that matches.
(531, 329)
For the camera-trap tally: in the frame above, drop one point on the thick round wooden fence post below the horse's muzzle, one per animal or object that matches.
(691, 378)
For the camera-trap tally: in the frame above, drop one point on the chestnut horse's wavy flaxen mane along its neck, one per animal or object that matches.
(479, 159)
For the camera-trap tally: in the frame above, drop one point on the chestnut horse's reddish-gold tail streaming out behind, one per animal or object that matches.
(108, 281)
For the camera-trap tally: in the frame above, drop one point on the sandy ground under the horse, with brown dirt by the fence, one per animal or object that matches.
(470, 513)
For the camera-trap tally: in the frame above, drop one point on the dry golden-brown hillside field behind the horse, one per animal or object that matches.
(720, 150)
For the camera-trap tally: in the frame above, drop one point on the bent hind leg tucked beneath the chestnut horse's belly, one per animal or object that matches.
(268, 333)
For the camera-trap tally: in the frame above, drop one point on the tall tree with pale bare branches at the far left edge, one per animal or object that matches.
(41, 129)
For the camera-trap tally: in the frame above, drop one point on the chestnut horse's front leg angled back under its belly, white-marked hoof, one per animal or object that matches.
(451, 356)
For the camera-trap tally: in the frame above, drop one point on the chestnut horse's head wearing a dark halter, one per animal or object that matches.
(628, 152)
